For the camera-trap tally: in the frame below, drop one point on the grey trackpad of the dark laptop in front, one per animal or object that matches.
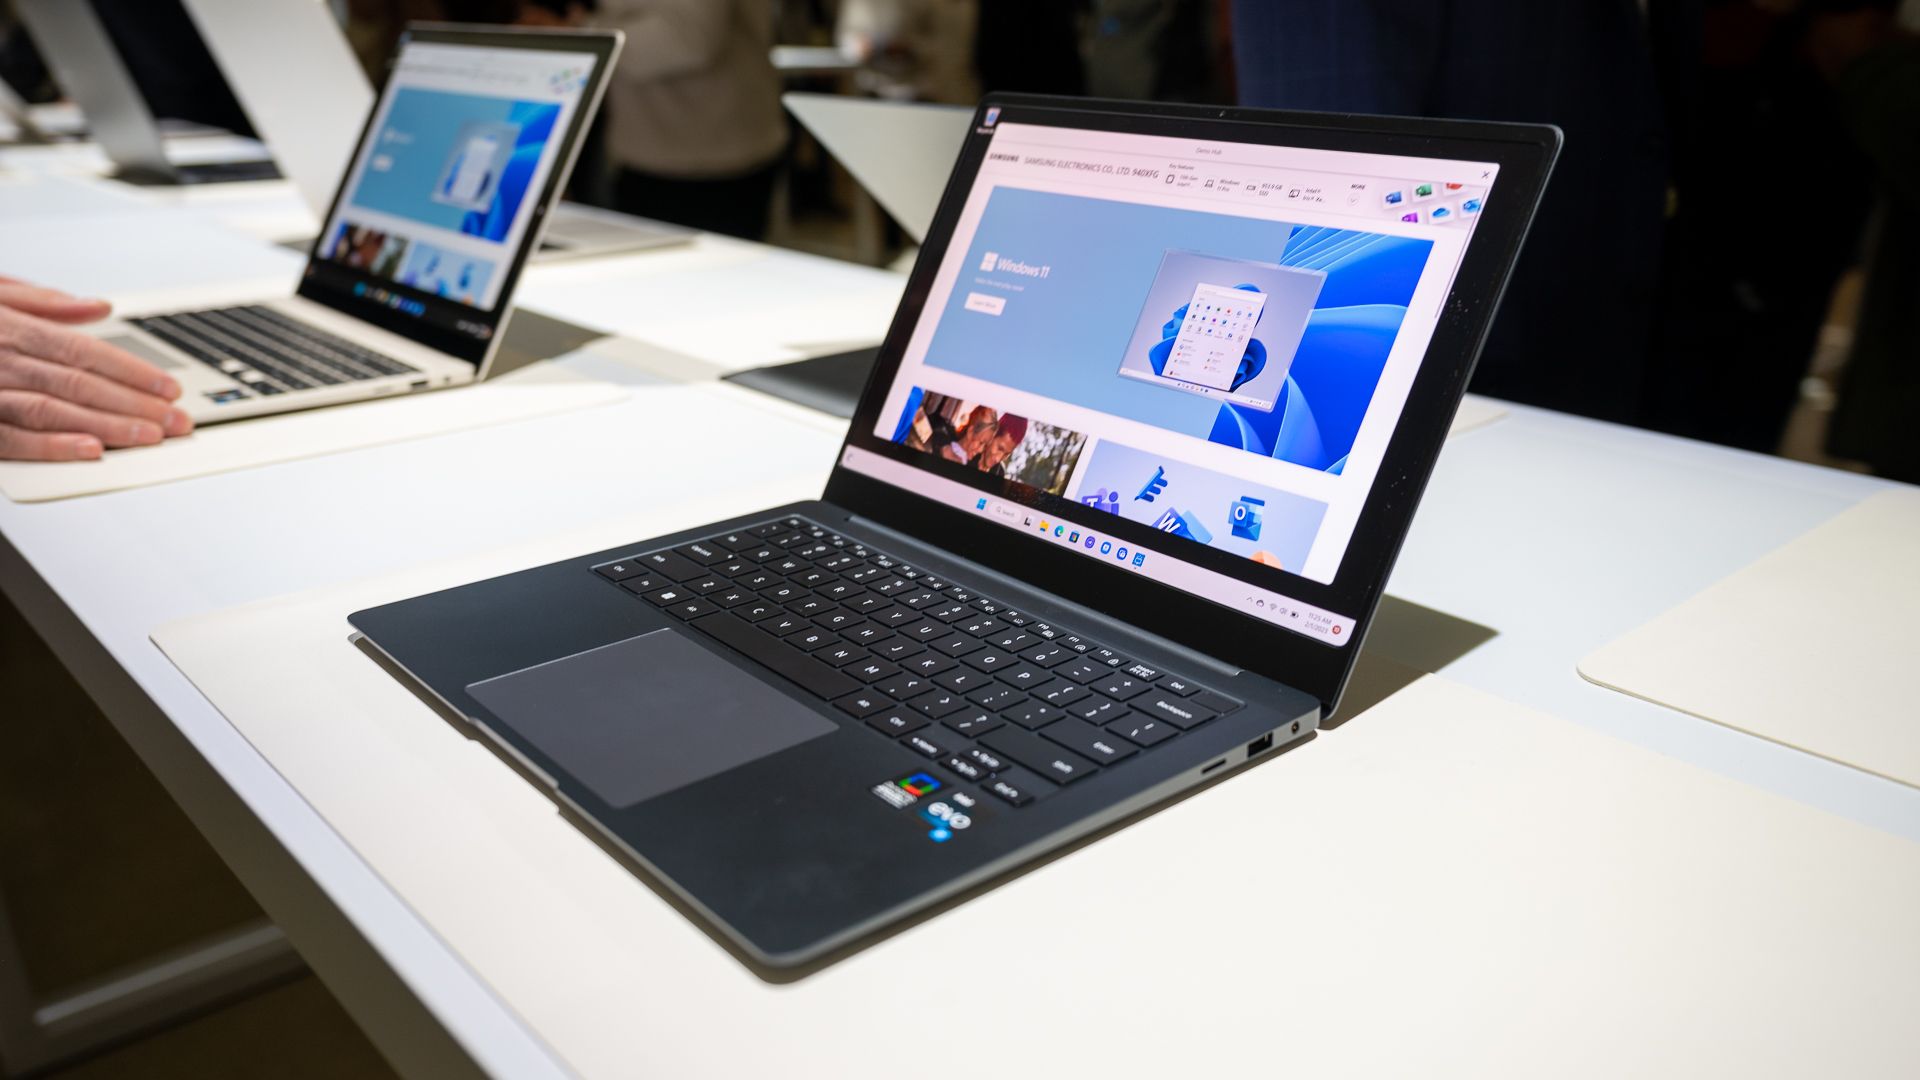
(646, 716)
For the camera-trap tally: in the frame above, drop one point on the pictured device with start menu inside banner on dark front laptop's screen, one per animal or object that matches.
(1222, 328)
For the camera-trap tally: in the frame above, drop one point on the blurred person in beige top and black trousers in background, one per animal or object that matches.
(696, 130)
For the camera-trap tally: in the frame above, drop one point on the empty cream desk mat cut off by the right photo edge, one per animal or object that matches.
(1812, 647)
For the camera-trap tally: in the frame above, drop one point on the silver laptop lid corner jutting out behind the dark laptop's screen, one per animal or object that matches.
(900, 153)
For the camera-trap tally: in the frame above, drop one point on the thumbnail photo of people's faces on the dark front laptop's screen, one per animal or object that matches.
(990, 441)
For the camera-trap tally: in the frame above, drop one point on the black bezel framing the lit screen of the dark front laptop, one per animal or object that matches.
(1524, 157)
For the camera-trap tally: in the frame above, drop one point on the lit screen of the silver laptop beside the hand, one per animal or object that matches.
(431, 222)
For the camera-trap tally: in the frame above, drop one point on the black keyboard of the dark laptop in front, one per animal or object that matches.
(992, 695)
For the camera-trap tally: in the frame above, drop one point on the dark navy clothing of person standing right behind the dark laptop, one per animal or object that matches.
(1575, 324)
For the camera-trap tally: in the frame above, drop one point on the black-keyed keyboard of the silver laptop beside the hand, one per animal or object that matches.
(268, 353)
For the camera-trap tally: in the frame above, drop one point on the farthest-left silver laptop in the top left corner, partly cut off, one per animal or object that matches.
(89, 68)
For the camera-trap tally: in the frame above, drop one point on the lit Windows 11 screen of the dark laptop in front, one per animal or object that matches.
(1161, 351)
